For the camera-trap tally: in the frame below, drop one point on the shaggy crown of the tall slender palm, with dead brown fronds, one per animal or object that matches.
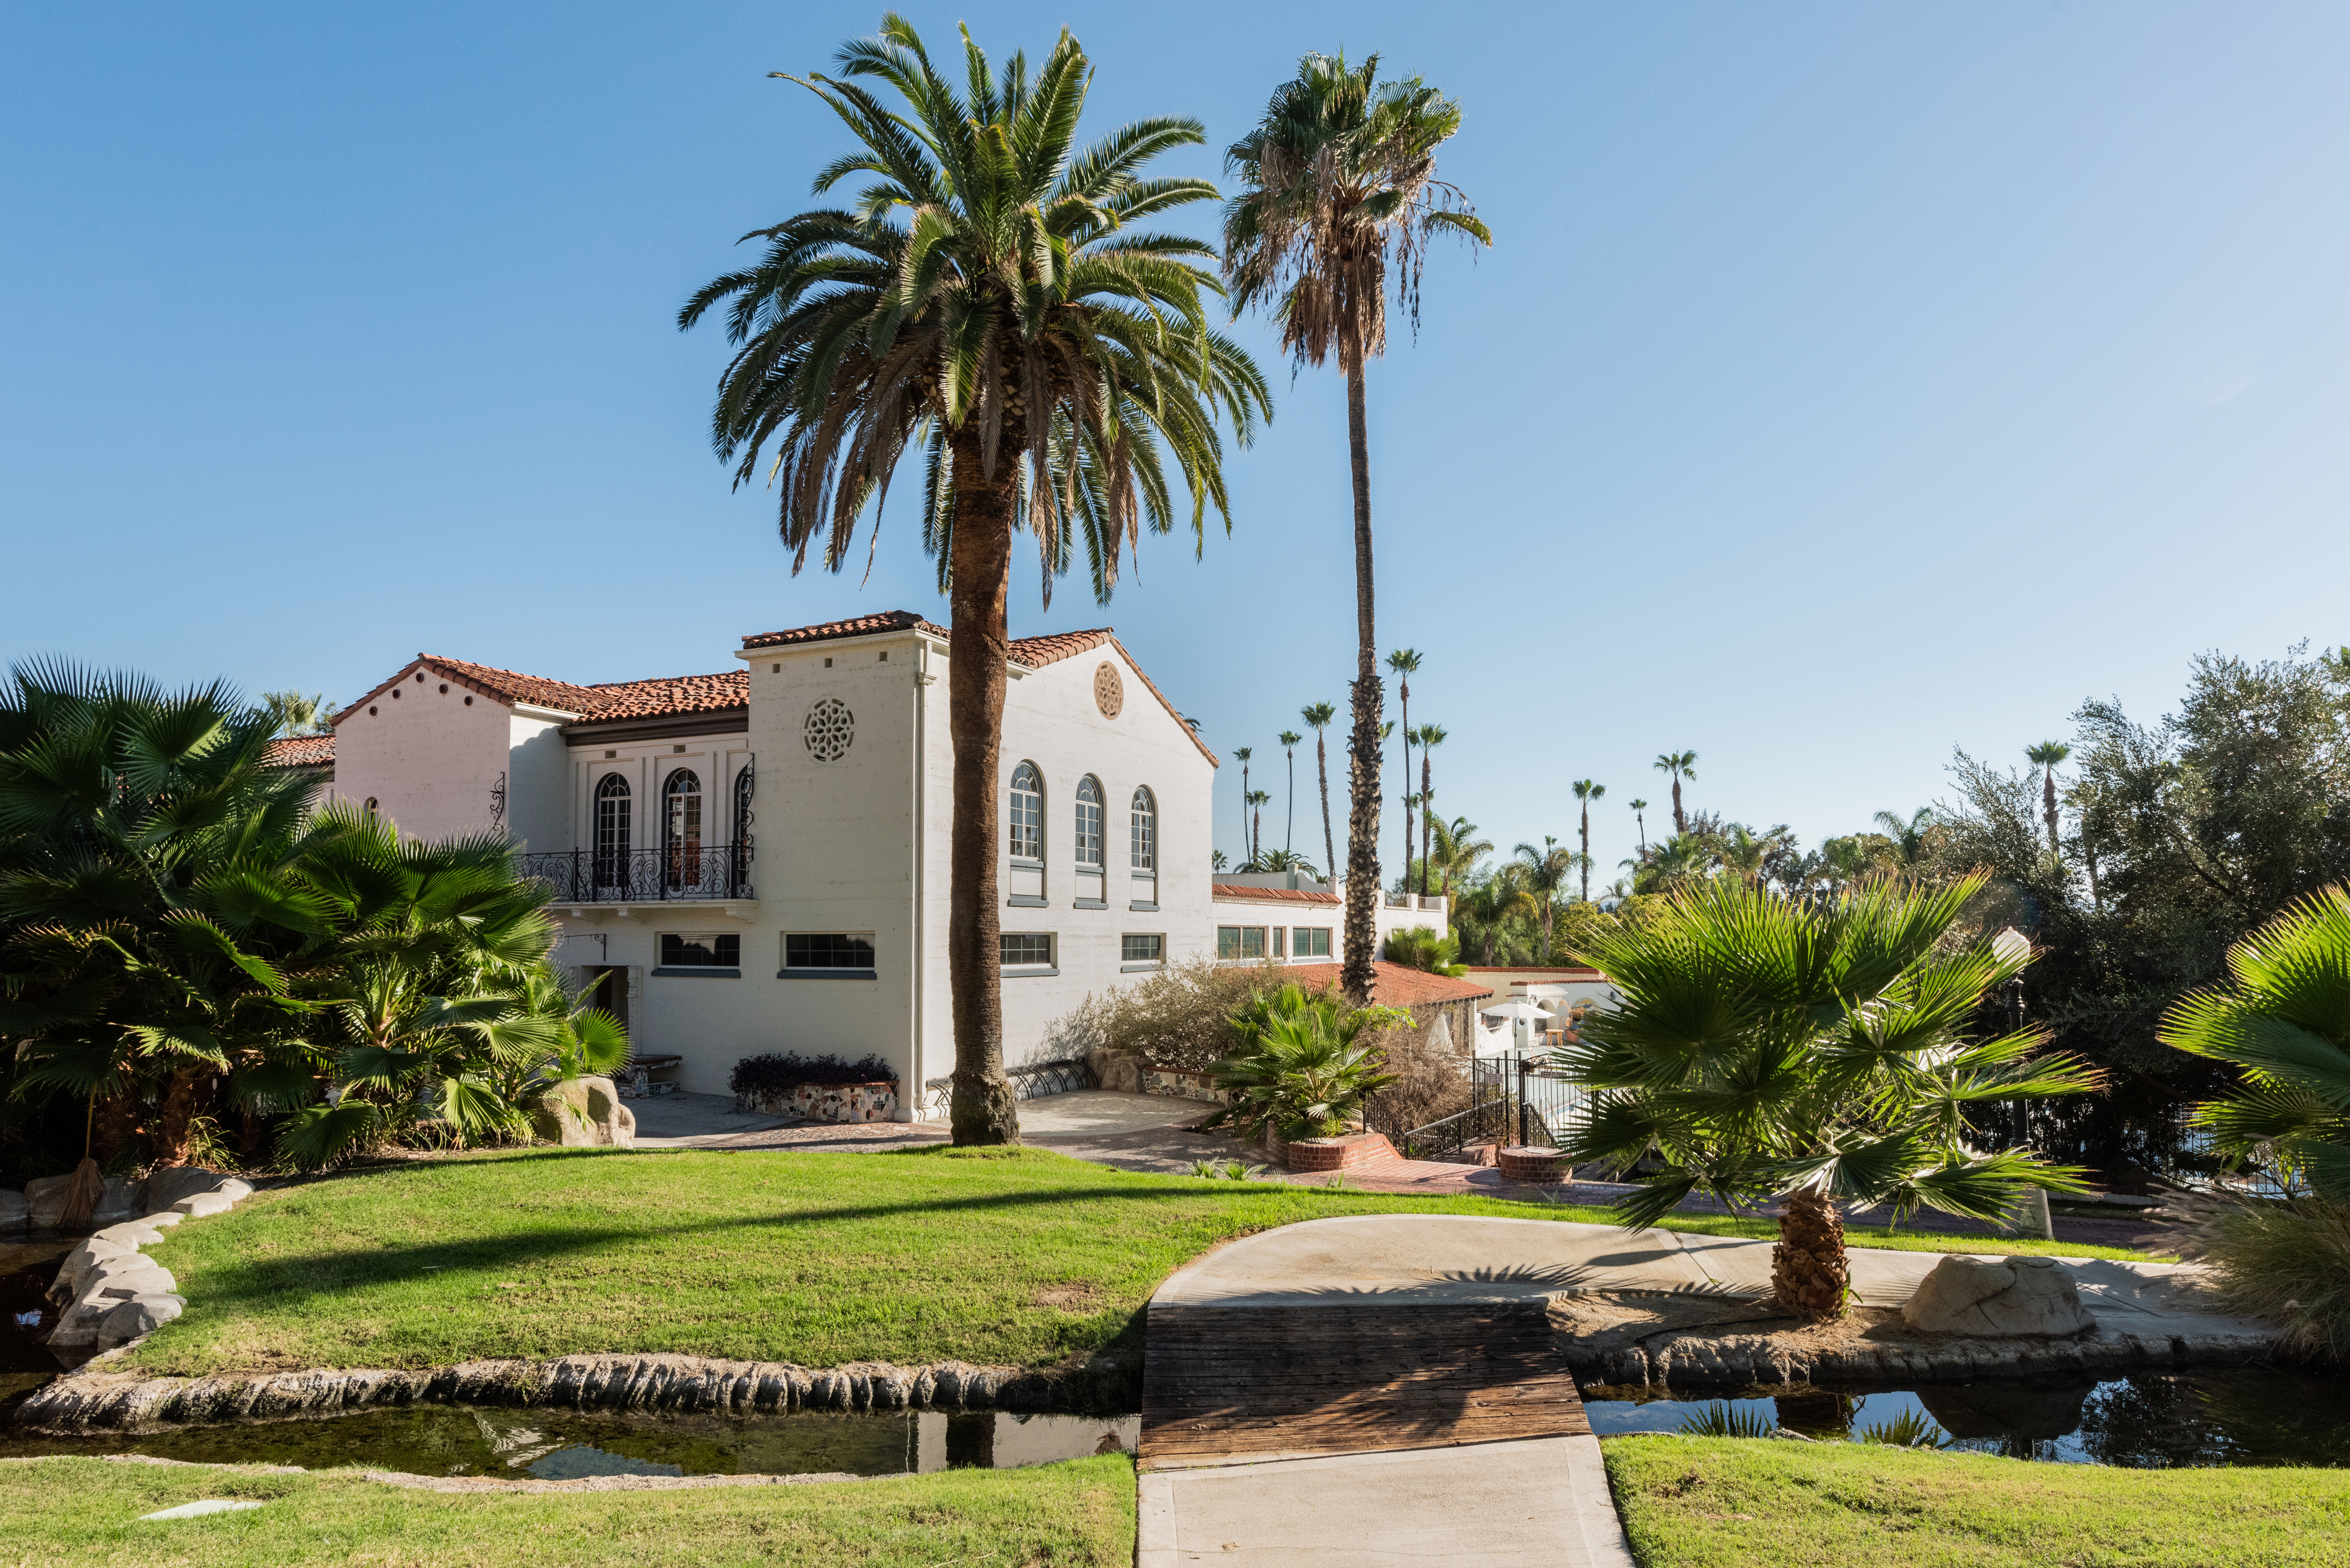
(1341, 182)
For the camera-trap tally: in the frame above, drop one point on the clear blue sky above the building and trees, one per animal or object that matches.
(1846, 384)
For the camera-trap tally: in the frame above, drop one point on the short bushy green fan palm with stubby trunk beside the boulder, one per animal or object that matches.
(1808, 1052)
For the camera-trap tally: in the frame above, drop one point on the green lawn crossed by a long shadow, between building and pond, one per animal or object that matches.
(995, 1257)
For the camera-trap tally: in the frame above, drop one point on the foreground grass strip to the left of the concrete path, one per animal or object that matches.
(1077, 1515)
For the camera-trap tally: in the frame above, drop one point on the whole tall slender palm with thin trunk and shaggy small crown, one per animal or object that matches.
(1338, 185)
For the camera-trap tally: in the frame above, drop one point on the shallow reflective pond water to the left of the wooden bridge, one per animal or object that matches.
(565, 1445)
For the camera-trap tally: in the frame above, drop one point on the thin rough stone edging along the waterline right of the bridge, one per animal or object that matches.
(1696, 1360)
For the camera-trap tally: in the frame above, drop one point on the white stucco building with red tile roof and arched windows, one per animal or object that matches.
(760, 857)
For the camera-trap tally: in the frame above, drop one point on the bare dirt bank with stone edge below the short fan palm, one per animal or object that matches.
(1696, 1341)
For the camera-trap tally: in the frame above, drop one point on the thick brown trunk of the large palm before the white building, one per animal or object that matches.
(979, 648)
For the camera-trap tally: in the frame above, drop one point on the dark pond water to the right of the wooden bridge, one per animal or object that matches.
(2158, 1421)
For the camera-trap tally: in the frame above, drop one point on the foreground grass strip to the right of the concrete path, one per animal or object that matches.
(1733, 1503)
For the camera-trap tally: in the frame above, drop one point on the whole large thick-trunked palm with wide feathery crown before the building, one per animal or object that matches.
(995, 297)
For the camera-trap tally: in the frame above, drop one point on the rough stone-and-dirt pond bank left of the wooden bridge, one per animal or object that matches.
(100, 1400)
